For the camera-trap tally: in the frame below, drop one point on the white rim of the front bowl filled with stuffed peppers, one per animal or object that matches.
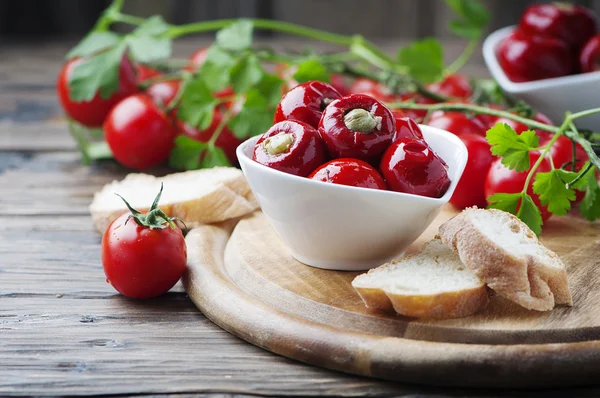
(460, 167)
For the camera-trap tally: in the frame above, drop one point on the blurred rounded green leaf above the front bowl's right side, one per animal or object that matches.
(424, 59)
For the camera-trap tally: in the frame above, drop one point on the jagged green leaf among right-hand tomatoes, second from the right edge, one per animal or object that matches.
(553, 192)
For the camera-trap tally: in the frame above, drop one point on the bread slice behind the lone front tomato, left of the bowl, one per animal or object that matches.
(196, 197)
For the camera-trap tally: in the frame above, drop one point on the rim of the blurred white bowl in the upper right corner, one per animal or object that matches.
(489, 54)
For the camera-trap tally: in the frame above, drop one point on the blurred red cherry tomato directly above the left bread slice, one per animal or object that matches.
(138, 133)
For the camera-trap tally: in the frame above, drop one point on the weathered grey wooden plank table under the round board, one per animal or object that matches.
(64, 330)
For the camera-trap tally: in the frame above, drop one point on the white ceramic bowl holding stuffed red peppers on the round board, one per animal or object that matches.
(348, 228)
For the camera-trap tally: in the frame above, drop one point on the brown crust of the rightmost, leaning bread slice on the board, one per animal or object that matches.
(525, 280)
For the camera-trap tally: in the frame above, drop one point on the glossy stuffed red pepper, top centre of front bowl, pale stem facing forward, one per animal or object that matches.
(357, 126)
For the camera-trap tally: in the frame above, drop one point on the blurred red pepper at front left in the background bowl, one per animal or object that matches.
(528, 58)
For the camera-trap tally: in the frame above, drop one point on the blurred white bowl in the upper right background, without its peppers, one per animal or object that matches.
(553, 97)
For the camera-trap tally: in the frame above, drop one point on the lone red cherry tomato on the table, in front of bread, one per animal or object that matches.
(142, 262)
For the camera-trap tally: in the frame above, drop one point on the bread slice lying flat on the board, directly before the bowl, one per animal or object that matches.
(432, 283)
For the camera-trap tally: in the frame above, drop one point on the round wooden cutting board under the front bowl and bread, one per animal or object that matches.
(247, 283)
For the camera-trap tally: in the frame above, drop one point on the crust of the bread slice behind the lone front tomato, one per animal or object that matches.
(229, 199)
